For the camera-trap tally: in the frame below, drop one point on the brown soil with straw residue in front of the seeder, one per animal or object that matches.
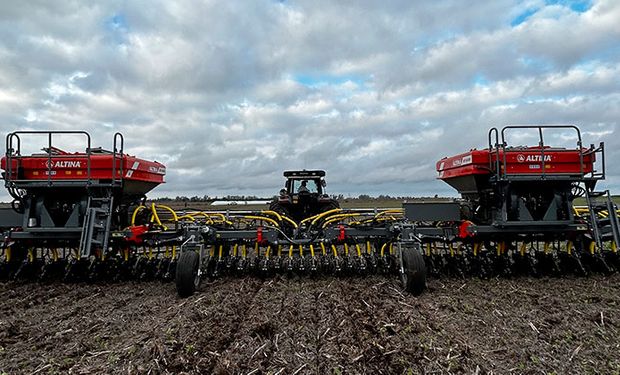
(313, 326)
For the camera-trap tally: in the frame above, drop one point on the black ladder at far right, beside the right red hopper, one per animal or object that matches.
(604, 218)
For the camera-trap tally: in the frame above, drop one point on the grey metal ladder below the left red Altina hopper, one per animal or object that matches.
(96, 229)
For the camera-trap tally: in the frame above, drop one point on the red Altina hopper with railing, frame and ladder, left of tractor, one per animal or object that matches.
(74, 199)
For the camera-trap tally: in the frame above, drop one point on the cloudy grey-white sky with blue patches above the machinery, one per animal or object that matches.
(228, 94)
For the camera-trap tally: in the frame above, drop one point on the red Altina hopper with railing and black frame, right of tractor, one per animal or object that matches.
(516, 187)
